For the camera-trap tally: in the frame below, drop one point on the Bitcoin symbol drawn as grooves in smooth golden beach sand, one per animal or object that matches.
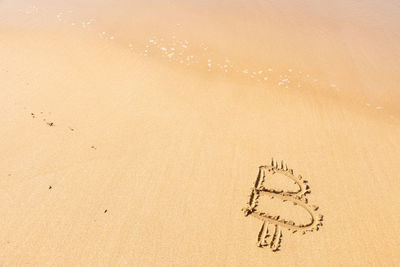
(272, 238)
